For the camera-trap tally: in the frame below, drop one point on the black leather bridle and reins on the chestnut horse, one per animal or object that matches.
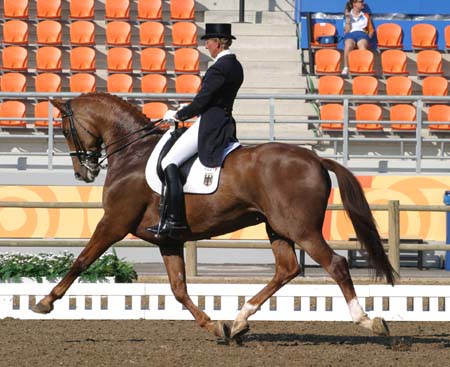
(89, 159)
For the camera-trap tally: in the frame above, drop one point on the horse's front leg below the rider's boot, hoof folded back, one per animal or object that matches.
(173, 256)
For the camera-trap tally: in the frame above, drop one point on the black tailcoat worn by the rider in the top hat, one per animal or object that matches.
(214, 102)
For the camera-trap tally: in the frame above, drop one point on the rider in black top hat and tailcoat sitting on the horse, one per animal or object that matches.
(213, 131)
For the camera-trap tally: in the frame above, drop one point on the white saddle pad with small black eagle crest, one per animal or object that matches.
(201, 179)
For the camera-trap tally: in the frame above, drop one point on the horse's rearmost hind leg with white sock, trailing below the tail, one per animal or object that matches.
(338, 269)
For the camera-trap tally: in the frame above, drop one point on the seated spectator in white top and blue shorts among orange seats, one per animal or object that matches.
(358, 29)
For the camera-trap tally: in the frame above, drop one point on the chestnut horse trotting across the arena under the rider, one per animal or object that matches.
(284, 186)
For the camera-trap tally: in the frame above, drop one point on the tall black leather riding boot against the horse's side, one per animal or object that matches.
(174, 219)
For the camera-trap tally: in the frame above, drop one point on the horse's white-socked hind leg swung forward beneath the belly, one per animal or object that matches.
(286, 268)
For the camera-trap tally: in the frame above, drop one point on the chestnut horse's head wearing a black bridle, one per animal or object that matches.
(83, 141)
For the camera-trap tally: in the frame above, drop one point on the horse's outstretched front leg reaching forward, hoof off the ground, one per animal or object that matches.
(104, 236)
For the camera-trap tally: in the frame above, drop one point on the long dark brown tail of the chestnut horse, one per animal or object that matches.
(357, 208)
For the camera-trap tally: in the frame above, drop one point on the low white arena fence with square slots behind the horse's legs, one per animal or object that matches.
(223, 301)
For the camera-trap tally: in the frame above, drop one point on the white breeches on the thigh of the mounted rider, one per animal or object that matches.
(184, 148)
